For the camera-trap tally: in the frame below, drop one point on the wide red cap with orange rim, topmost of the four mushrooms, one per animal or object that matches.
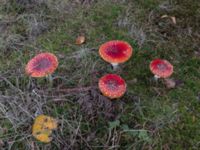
(115, 51)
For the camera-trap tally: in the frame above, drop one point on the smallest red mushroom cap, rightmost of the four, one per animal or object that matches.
(161, 68)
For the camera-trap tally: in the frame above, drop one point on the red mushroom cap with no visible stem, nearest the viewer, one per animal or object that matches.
(112, 86)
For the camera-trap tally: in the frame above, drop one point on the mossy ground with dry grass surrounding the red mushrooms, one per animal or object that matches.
(148, 116)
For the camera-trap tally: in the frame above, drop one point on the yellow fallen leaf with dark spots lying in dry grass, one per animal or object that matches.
(42, 128)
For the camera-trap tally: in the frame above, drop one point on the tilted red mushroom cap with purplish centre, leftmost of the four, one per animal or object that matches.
(42, 65)
